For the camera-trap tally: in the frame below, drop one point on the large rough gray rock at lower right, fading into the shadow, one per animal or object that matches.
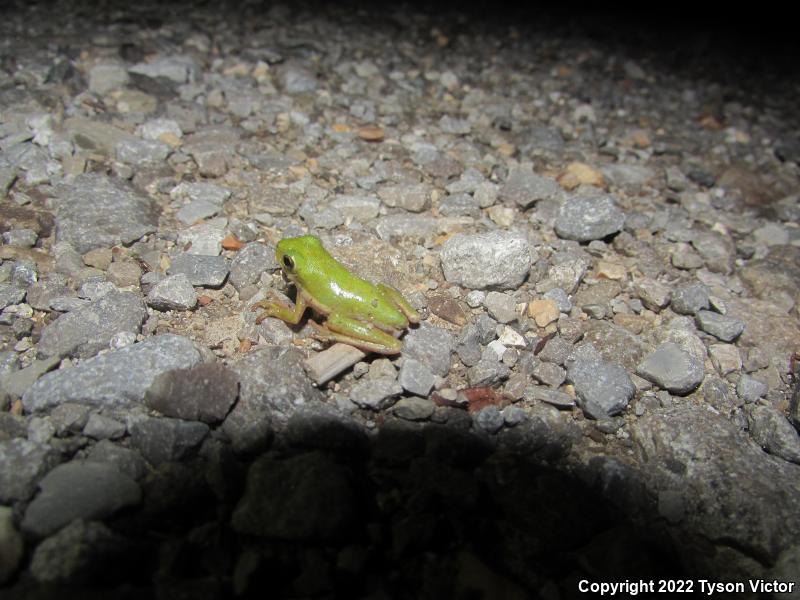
(710, 462)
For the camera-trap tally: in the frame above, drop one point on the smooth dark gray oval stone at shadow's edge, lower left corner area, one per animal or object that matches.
(78, 490)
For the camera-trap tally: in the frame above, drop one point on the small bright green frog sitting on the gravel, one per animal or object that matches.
(359, 313)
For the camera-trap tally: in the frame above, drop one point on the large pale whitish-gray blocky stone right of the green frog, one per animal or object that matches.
(497, 259)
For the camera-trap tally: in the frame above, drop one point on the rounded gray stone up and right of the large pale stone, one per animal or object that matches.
(591, 218)
